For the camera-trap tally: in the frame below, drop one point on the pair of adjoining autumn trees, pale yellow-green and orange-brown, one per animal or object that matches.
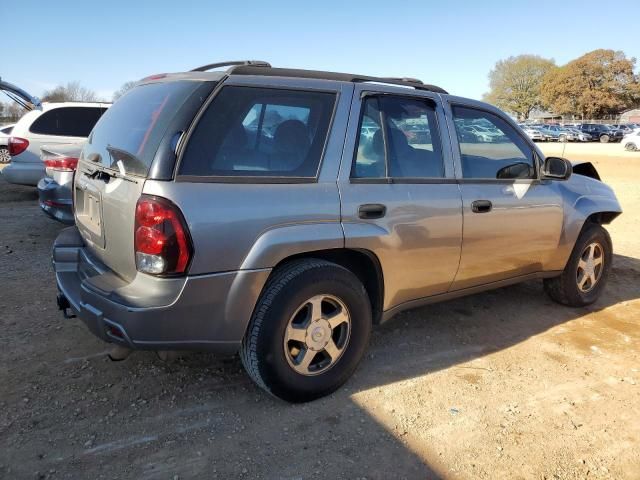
(597, 84)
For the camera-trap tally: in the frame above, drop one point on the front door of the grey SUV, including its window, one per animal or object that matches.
(512, 218)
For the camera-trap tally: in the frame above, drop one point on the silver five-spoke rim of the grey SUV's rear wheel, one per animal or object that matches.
(317, 335)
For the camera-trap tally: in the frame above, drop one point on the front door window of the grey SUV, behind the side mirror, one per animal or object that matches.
(490, 147)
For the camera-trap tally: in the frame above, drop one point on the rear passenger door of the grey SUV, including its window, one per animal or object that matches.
(399, 196)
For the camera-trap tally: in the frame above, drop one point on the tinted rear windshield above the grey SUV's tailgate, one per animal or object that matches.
(128, 134)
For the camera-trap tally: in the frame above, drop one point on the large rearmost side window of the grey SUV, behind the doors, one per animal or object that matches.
(250, 131)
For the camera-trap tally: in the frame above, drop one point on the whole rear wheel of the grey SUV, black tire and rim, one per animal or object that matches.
(309, 330)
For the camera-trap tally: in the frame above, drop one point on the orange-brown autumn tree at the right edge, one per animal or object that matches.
(599, 83)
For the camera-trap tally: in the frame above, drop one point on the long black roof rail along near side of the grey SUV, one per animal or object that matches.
(248, 69)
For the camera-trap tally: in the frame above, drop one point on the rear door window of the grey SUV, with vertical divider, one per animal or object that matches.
(398, 138)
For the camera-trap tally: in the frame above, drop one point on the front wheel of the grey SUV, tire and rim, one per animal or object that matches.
(587, 271)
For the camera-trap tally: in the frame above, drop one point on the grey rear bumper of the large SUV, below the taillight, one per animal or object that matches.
(205, 312)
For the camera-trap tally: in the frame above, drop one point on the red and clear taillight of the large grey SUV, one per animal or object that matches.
(162, 244)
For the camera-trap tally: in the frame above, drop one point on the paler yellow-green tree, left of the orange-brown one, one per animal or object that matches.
(515, 83)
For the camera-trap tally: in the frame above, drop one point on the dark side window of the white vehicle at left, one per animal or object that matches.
(67, 121)
